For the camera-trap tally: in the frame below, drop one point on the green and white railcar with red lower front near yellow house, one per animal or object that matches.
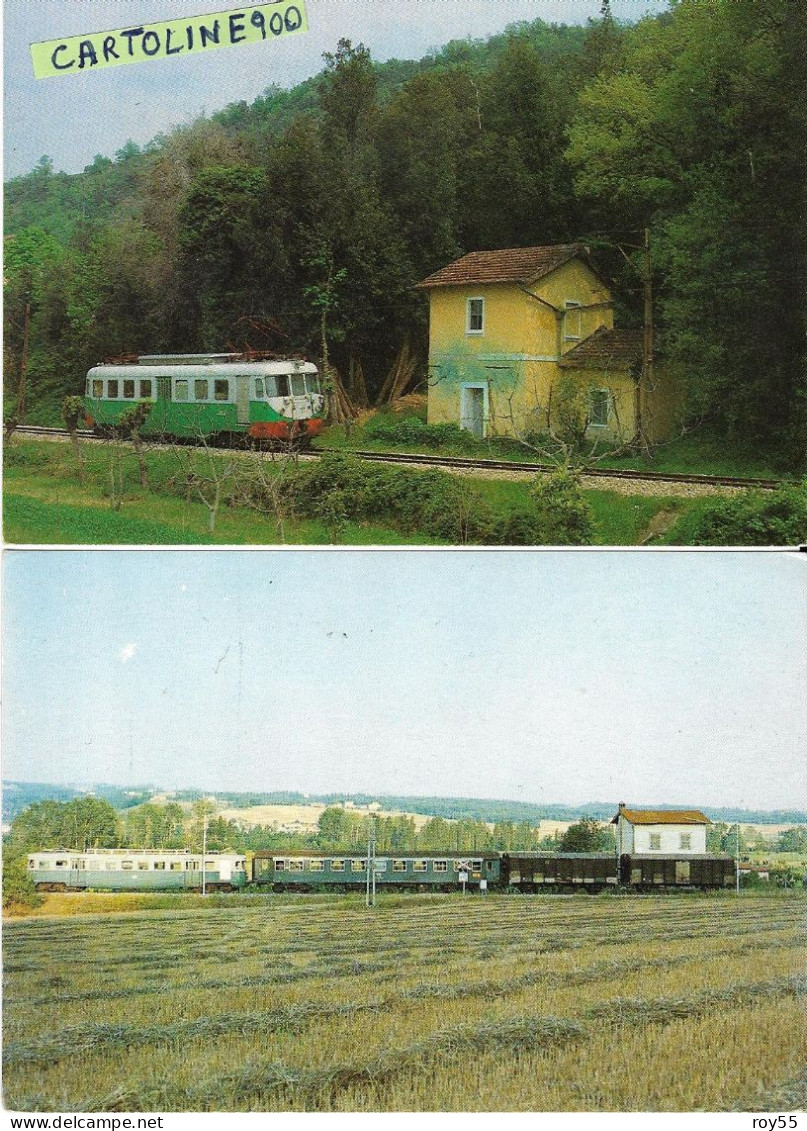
(211, 398)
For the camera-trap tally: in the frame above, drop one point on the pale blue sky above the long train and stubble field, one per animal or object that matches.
(541, 677)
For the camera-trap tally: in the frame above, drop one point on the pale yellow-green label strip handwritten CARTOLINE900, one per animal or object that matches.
(178, 38)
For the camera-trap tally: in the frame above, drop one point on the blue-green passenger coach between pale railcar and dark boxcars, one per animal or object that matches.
(340, 873)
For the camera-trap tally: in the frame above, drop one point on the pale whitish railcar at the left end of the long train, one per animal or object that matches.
(136, 870)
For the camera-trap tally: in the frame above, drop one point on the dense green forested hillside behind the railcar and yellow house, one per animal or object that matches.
(317, 210)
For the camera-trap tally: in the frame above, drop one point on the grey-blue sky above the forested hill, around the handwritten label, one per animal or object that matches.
(76, 117)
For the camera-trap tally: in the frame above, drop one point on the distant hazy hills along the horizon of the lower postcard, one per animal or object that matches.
(19, 796)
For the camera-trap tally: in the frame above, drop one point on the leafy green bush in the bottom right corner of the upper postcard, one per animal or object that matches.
(776, 519)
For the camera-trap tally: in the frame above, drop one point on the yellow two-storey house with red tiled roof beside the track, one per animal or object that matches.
(523, 340)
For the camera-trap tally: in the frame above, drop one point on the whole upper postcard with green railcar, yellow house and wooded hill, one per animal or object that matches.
(411, 272)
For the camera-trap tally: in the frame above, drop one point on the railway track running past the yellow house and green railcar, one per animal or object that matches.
(458, 463)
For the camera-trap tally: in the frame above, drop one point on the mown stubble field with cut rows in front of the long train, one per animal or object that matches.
(427, 1004)
